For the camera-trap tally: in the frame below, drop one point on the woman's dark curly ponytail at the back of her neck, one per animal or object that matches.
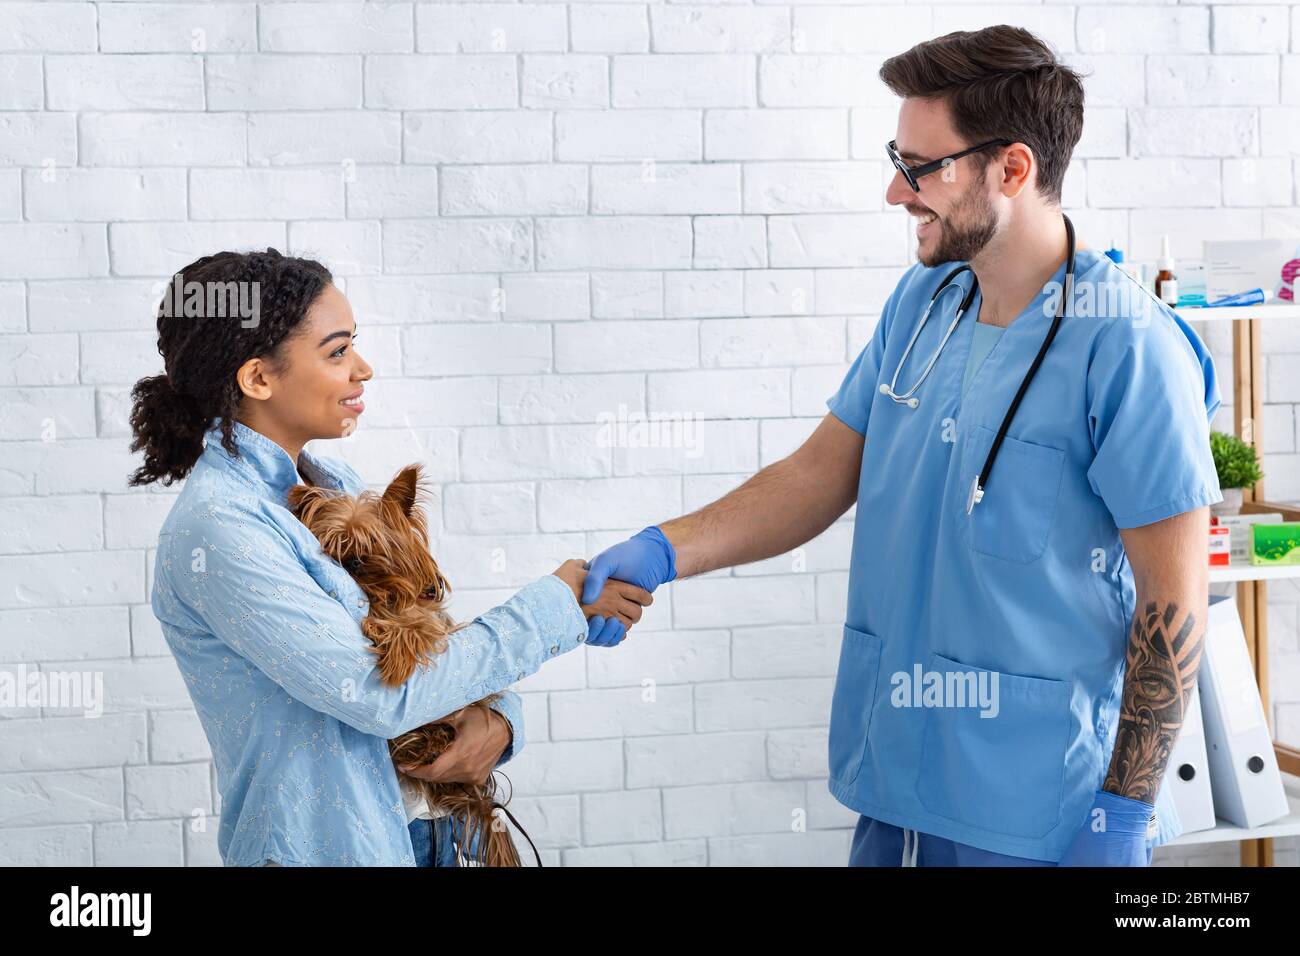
(168, 427)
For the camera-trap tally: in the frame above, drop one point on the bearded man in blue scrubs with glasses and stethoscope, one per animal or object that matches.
(1015, 671)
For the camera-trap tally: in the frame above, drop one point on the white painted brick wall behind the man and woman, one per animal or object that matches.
(544, 214)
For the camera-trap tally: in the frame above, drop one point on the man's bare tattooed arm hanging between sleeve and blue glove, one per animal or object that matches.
(1164, 655)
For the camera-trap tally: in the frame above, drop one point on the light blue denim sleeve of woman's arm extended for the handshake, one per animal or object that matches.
(252, 591)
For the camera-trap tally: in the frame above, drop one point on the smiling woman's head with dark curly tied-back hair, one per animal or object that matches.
(287, 369)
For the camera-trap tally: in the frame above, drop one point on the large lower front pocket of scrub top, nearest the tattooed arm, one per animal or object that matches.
(1004, 773)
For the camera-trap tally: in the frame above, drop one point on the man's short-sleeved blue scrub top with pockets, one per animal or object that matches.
(980, 682)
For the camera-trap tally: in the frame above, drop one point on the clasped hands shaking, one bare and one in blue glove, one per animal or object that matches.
(618, 585)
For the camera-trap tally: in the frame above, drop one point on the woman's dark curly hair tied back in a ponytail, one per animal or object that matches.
(203, 348)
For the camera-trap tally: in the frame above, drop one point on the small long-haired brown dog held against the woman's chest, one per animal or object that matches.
(383, 542)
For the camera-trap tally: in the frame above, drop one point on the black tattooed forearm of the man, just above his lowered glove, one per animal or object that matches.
(1164, 656)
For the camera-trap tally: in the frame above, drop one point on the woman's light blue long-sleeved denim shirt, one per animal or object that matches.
(266, 630)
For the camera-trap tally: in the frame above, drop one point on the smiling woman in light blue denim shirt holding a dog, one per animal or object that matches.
(266, 628)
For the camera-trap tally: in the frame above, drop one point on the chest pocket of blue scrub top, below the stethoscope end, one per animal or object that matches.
(1020, 505)
